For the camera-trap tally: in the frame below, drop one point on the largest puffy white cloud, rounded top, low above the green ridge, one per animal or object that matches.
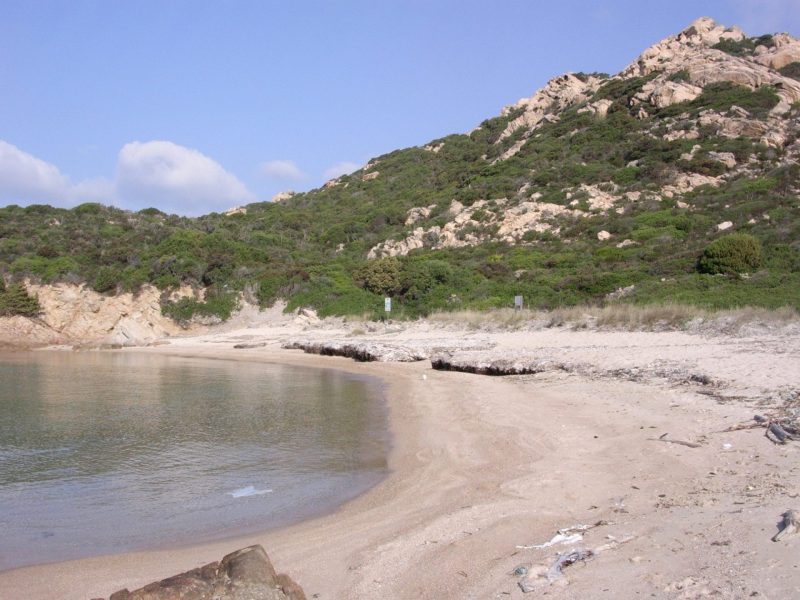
(175, 178)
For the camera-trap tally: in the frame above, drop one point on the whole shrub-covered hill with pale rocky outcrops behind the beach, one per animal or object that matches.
(676, 179)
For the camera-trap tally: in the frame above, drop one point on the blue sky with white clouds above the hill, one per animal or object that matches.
(200, 106)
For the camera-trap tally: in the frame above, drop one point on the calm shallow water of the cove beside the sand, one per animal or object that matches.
(106, 452)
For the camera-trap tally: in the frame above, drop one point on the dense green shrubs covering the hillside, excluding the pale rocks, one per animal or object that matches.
(312, 248)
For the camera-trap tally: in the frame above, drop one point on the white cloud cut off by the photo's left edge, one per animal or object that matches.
(25, 178)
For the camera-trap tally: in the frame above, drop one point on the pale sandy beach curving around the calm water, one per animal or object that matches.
(485, 468)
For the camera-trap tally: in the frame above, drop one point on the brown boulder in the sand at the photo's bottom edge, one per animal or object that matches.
(246, 574)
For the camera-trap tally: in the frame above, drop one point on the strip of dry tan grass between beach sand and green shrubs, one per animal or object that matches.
(627, 317)
